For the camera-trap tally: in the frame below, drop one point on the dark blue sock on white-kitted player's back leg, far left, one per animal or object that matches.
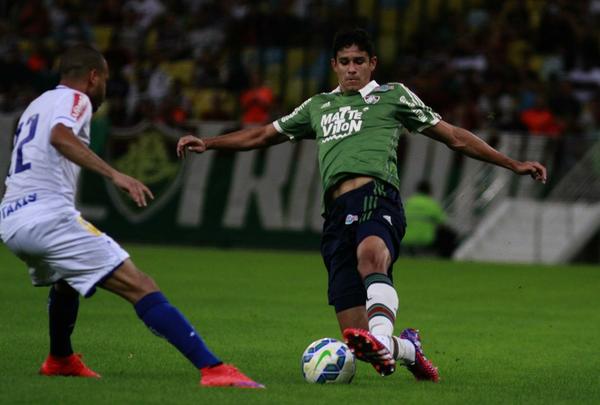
(62, 314)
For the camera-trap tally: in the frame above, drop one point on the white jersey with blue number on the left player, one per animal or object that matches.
(41, 182)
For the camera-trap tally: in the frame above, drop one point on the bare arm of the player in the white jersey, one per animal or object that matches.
(63, 139)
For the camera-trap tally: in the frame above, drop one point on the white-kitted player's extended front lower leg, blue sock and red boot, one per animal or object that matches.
(166, 321)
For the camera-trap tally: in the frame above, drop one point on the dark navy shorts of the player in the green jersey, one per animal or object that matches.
(374, 209)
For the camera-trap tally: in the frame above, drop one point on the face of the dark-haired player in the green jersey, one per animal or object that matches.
(353, 68)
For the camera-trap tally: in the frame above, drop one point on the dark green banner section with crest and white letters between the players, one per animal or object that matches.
(256, 198)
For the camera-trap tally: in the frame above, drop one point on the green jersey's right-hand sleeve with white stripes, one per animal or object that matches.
(413, 113)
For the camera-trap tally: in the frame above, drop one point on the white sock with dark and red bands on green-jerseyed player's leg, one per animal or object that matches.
(382, 304)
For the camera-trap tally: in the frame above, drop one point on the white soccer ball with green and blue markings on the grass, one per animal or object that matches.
(328, 360)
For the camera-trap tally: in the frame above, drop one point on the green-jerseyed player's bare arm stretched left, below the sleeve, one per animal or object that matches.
(245, 139)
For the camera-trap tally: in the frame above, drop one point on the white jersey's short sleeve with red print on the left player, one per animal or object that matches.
(73, 110)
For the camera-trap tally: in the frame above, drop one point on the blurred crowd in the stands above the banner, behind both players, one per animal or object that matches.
(516, 65)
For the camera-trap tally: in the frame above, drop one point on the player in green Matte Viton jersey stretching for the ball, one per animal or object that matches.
(356, 127)
